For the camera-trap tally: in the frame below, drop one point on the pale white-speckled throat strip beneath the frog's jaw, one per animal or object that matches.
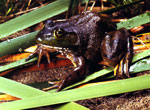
(65, 52)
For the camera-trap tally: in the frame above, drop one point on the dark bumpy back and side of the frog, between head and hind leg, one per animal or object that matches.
(90, 28)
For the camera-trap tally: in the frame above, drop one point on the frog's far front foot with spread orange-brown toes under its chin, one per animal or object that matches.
(40, 51)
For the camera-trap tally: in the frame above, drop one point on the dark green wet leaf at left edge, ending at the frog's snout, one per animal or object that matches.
(17, 44)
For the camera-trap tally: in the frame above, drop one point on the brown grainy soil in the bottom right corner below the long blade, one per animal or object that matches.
(139, 100)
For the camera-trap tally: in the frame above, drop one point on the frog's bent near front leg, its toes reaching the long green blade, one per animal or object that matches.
(76, 74)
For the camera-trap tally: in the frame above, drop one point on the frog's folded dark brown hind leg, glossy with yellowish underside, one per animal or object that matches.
(117, 51)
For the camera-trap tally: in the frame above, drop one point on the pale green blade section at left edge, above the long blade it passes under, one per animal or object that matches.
(18, 89)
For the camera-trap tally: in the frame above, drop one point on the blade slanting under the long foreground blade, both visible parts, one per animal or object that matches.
(23, 91)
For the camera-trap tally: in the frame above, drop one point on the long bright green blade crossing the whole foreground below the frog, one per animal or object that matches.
(99, 90)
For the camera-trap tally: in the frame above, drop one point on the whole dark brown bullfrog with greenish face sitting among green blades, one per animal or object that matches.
(86, 40)
